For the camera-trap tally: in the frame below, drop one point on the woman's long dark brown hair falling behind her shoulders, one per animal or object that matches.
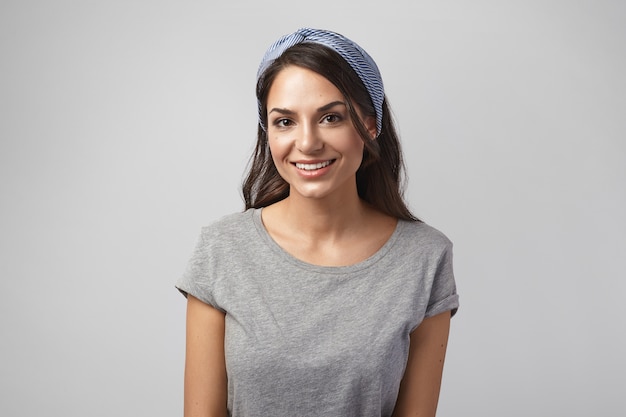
(380, 178)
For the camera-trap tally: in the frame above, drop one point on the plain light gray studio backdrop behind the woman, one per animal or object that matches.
(127, 125)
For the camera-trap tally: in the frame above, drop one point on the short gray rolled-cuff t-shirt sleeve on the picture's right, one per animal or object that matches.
(443, 295)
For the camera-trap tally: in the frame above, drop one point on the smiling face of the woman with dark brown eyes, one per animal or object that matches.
(314, 145)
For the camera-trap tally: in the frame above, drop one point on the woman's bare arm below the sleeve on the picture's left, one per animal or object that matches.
(205, 367)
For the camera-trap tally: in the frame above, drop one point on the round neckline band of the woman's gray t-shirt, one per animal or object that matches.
(283, 254)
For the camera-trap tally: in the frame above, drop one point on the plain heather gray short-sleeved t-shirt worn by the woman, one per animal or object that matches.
(308, 340)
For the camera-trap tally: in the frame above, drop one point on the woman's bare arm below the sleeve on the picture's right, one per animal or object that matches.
(419, 389)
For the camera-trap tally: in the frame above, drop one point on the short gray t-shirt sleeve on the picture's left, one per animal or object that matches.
(197, 278)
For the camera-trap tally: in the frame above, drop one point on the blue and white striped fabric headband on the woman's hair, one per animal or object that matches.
(355, 56)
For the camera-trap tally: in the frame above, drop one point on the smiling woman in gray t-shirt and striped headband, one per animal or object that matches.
(326, 297)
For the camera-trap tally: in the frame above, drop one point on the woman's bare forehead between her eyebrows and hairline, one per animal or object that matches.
(297, 86)
